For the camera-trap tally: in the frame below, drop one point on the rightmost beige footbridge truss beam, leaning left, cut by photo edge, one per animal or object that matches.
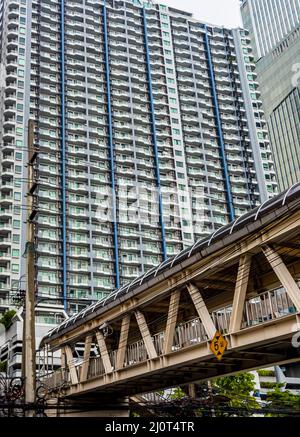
(283, 274)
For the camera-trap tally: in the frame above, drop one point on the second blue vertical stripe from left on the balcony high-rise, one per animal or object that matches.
(111, 148)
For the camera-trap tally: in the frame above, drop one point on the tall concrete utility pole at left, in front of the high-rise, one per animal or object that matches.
(28, 355)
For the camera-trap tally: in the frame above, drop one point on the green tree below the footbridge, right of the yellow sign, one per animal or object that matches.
(237, 389)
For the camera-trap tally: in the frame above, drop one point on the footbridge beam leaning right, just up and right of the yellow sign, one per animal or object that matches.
(241, 286)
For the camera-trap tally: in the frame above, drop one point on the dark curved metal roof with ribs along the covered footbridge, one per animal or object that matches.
(272, 205)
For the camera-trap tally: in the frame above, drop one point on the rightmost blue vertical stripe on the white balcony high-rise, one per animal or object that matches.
(226, 177)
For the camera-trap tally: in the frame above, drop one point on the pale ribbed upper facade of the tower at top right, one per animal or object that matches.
(269, 22)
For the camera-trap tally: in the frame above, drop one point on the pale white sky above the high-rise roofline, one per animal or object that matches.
(221, 12)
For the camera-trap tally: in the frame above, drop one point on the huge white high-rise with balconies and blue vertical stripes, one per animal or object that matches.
(150, 134)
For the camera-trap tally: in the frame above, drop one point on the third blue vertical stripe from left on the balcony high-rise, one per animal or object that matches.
(154, 139)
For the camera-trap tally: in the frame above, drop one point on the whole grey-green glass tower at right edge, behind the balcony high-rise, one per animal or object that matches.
(274, 29)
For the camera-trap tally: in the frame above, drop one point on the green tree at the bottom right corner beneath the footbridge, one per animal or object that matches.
(283, 401)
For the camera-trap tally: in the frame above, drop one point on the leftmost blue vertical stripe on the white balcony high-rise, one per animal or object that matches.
(63, 158)
